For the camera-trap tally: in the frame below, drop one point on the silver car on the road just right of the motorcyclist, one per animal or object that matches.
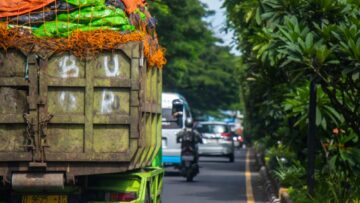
(217, 139)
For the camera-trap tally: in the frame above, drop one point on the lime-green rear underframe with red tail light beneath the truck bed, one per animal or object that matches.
(135, 187)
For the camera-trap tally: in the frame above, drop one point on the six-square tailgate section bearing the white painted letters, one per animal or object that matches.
(100, 106)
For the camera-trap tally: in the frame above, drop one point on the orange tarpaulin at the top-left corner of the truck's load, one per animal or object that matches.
(18, 7)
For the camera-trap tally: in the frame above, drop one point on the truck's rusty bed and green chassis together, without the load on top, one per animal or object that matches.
(76, 129)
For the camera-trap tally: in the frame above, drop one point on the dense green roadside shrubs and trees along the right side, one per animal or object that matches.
(286, 44)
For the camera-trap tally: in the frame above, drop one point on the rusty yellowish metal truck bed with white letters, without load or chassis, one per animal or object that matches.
(81, 117)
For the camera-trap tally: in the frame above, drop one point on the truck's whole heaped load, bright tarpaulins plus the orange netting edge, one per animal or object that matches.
(83, 27)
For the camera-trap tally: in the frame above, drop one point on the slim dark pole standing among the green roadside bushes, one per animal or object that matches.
(311, 138)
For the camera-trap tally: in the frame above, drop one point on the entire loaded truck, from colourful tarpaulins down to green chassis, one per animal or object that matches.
(80, 109)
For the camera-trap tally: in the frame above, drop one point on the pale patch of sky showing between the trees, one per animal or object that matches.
(218, 22)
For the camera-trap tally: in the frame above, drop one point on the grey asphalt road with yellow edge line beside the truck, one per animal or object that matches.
(218, 182)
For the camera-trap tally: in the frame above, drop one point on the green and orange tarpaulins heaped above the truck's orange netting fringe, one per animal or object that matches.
(59, 18)
